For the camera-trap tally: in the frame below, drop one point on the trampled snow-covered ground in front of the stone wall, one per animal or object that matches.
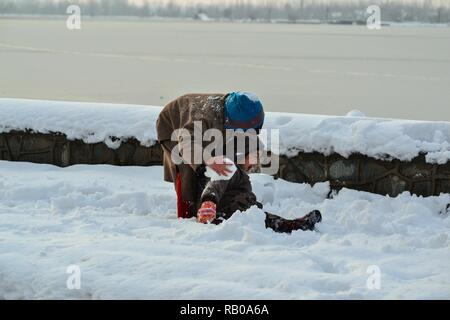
(119, 226)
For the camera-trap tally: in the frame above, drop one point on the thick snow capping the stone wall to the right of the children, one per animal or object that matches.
(374, 137)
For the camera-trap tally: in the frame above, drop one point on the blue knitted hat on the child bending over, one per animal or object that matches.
(243, 110)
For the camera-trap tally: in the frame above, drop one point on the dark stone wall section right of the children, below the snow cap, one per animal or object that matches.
(367, 174)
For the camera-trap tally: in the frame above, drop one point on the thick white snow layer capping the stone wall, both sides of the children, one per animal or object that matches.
(354, 133)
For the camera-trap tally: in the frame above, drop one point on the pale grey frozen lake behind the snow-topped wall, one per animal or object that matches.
(401, 72)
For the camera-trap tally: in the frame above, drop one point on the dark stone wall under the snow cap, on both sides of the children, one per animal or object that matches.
(357, 172)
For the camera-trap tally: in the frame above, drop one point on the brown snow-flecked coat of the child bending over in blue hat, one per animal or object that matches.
(181, 113)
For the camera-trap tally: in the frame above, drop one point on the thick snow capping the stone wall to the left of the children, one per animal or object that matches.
(90, 122)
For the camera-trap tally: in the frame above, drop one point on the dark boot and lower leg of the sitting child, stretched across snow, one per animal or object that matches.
(279, 224)
